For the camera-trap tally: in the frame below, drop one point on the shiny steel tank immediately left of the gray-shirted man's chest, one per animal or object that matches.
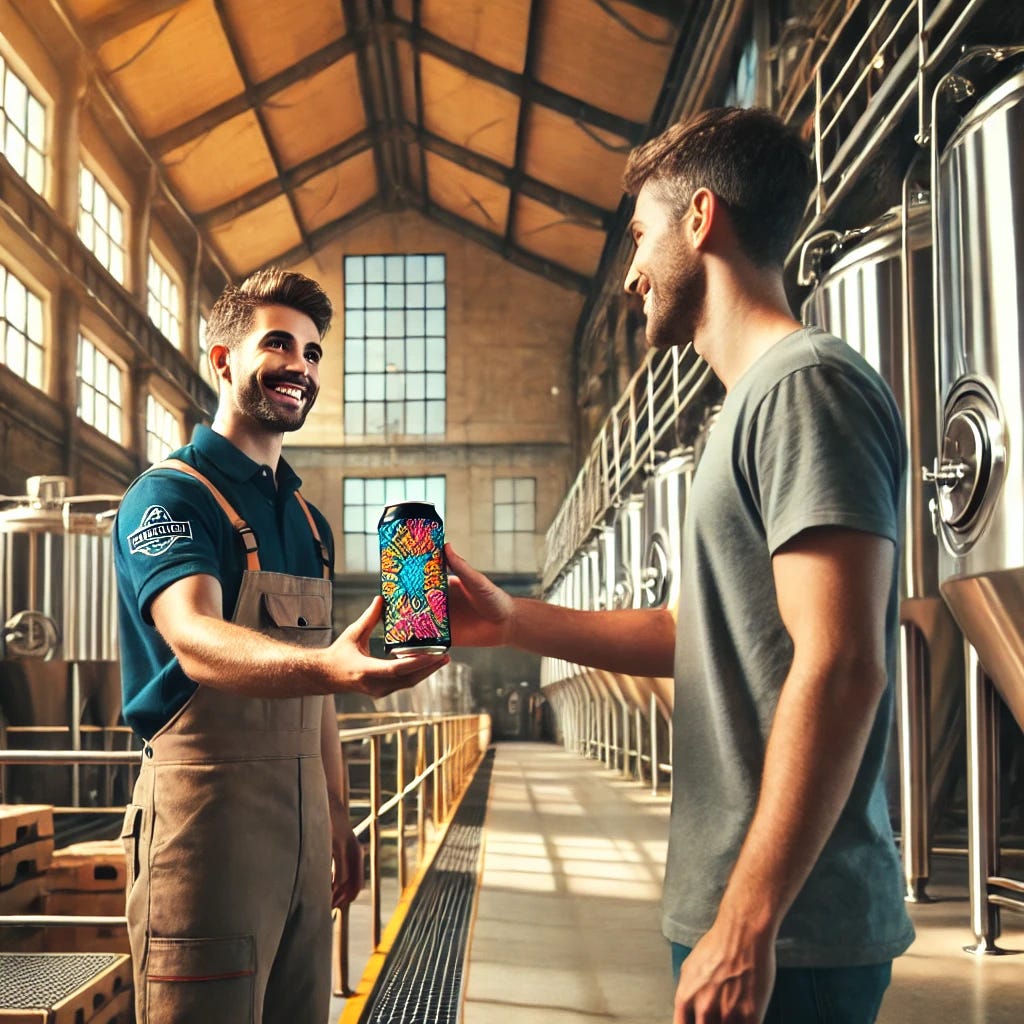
(666, 494)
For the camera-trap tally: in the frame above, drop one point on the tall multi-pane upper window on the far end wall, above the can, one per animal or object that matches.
(395, 346)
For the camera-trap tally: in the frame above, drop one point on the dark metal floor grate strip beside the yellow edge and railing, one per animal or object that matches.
(422, 982)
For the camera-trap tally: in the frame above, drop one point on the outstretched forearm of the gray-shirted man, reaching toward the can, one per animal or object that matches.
(639, 643)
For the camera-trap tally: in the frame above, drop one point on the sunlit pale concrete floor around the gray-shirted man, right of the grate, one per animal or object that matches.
(568, 921)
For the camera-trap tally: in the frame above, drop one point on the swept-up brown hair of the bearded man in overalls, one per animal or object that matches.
(233, 314)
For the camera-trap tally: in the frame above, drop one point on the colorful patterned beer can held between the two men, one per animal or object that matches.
(414, 583)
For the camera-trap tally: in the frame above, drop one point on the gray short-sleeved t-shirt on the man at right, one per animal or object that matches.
(809, 437)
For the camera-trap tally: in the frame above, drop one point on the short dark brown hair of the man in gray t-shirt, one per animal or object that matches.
(753, 162)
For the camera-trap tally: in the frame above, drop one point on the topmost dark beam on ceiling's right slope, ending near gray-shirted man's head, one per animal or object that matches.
(521, 86)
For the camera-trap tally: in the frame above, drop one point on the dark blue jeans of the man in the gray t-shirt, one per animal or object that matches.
(820, 995)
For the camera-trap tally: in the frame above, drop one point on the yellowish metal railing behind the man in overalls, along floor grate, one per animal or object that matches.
(435, 760)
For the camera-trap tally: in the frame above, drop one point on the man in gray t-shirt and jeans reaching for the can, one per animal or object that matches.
(784, 893)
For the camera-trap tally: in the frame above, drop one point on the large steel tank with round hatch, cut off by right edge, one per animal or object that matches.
(980, 475)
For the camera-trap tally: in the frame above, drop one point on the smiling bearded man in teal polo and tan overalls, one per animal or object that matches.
(229, 673)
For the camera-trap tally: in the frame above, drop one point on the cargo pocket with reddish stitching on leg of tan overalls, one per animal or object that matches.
(192, 980)
